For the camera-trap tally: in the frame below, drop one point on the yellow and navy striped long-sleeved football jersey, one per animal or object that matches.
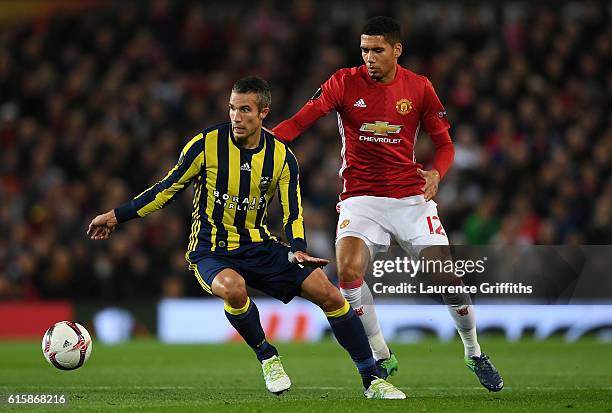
(233, 187)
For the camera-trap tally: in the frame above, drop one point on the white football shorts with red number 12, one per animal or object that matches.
(411, 222)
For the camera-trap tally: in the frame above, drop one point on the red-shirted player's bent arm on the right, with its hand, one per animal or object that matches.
(435, 122)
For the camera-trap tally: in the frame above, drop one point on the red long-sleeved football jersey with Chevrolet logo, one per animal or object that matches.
(378, 124)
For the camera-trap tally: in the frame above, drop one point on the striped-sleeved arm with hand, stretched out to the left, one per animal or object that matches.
(157, 196)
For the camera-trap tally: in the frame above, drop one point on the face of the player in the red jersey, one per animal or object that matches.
(379, 56)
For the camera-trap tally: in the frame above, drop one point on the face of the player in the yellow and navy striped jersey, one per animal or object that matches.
(245, 115)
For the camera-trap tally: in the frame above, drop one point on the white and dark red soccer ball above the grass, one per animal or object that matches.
(66, 345)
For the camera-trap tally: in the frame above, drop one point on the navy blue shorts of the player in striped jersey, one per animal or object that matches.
(264, 267)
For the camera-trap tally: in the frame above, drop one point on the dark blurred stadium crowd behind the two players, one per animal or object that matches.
(94, 108)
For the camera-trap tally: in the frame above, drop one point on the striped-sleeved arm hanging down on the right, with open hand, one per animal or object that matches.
(293, 222)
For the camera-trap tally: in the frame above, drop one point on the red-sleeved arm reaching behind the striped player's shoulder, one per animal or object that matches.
(325, 99)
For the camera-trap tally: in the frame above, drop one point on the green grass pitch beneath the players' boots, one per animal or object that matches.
(147, 376)
